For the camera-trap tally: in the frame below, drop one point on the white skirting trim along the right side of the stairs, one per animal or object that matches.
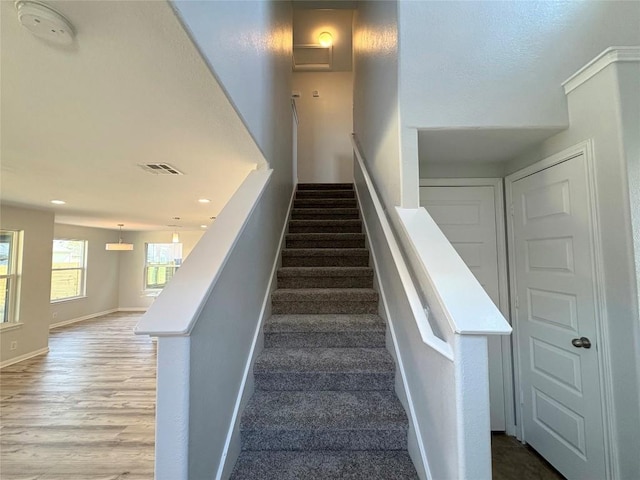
(383, 297)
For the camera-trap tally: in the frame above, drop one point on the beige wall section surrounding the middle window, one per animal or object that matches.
(102, 275)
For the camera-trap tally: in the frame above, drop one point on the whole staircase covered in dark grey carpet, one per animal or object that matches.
(324, 405)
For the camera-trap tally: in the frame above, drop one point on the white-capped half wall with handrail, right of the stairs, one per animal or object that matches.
(444, 378)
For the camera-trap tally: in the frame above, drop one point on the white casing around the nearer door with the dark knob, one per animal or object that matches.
(604, 363)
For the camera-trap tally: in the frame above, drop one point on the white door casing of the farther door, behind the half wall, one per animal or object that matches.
(503, 279)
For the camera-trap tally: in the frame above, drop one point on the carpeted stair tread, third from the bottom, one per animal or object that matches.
(325, 360)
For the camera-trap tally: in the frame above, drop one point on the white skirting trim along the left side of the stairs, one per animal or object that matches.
(251, 357)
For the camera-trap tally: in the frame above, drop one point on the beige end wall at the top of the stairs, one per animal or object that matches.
(324, 131)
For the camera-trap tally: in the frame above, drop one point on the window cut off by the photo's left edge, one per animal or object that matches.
(8, 274)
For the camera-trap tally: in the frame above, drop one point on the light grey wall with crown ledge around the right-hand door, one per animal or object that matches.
(595, 108)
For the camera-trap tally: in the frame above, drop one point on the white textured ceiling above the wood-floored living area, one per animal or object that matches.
(132, 89)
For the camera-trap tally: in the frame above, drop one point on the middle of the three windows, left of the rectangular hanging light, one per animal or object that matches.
(68, 269)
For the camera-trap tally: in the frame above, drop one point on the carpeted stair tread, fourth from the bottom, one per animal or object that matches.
(324, 323)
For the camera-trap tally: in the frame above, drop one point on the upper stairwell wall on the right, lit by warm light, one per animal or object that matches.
(375, 98)
